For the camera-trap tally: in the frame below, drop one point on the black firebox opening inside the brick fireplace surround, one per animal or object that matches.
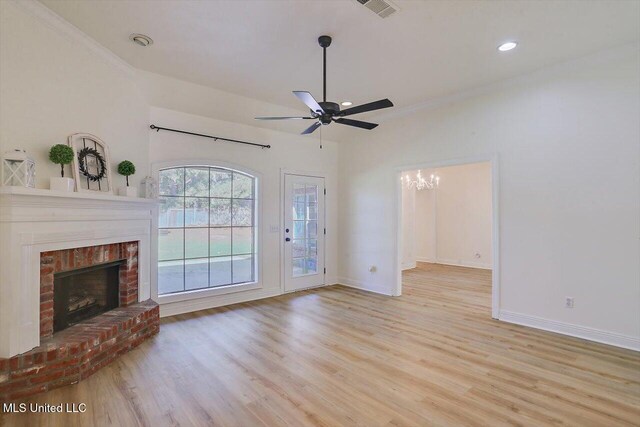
(83, 293)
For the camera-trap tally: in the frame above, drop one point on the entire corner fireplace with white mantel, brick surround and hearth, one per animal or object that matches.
(47, 237)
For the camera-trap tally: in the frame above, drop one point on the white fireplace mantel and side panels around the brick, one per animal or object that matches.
(33, 221)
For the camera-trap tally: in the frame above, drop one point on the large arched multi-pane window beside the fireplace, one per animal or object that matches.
(207, 233)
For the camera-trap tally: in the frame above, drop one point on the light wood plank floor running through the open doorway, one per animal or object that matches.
(338, 357)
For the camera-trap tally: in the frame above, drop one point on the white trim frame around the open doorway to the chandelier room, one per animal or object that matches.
(495, 223)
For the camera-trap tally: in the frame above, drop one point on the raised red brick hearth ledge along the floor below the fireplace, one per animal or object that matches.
(78, 351)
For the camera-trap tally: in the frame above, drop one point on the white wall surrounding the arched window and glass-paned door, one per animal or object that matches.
(292, 152)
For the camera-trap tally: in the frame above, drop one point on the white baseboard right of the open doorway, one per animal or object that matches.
(611, 338)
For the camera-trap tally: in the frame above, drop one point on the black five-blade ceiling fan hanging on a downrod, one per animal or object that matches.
(326, 112)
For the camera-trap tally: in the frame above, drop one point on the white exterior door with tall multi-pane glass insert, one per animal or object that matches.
(304, 232)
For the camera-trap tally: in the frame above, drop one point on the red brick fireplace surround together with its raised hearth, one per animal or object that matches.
(75, 353)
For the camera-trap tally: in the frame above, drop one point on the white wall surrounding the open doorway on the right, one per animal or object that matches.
(567, 139)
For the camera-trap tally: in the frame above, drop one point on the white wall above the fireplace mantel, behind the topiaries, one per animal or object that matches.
(54, 82)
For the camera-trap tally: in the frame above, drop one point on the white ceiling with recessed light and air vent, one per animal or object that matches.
(264, 49)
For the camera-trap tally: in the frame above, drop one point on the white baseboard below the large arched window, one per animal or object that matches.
(181, 307)
